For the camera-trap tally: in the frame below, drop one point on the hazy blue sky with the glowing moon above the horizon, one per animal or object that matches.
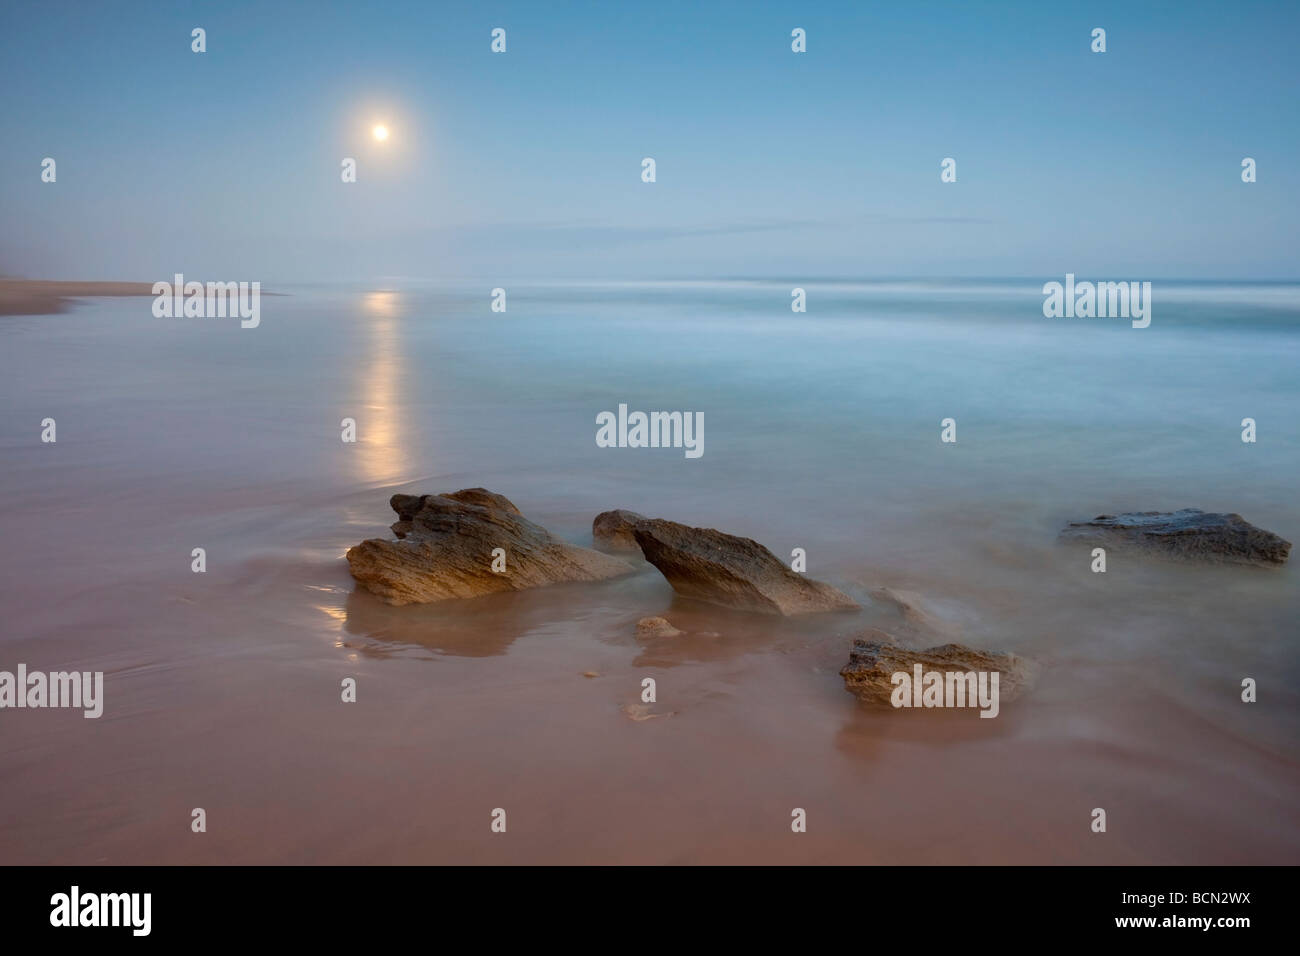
(527, 165)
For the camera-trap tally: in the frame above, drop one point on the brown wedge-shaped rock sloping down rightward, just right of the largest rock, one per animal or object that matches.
(733, 572)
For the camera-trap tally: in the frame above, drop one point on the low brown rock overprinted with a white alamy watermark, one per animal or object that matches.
(876, 659)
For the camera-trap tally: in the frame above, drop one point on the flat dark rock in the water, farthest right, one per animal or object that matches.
(1190, 534)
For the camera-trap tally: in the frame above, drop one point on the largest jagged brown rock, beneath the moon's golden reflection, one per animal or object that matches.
(445, 550)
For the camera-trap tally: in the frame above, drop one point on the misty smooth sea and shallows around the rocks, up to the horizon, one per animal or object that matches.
(822, 432)
